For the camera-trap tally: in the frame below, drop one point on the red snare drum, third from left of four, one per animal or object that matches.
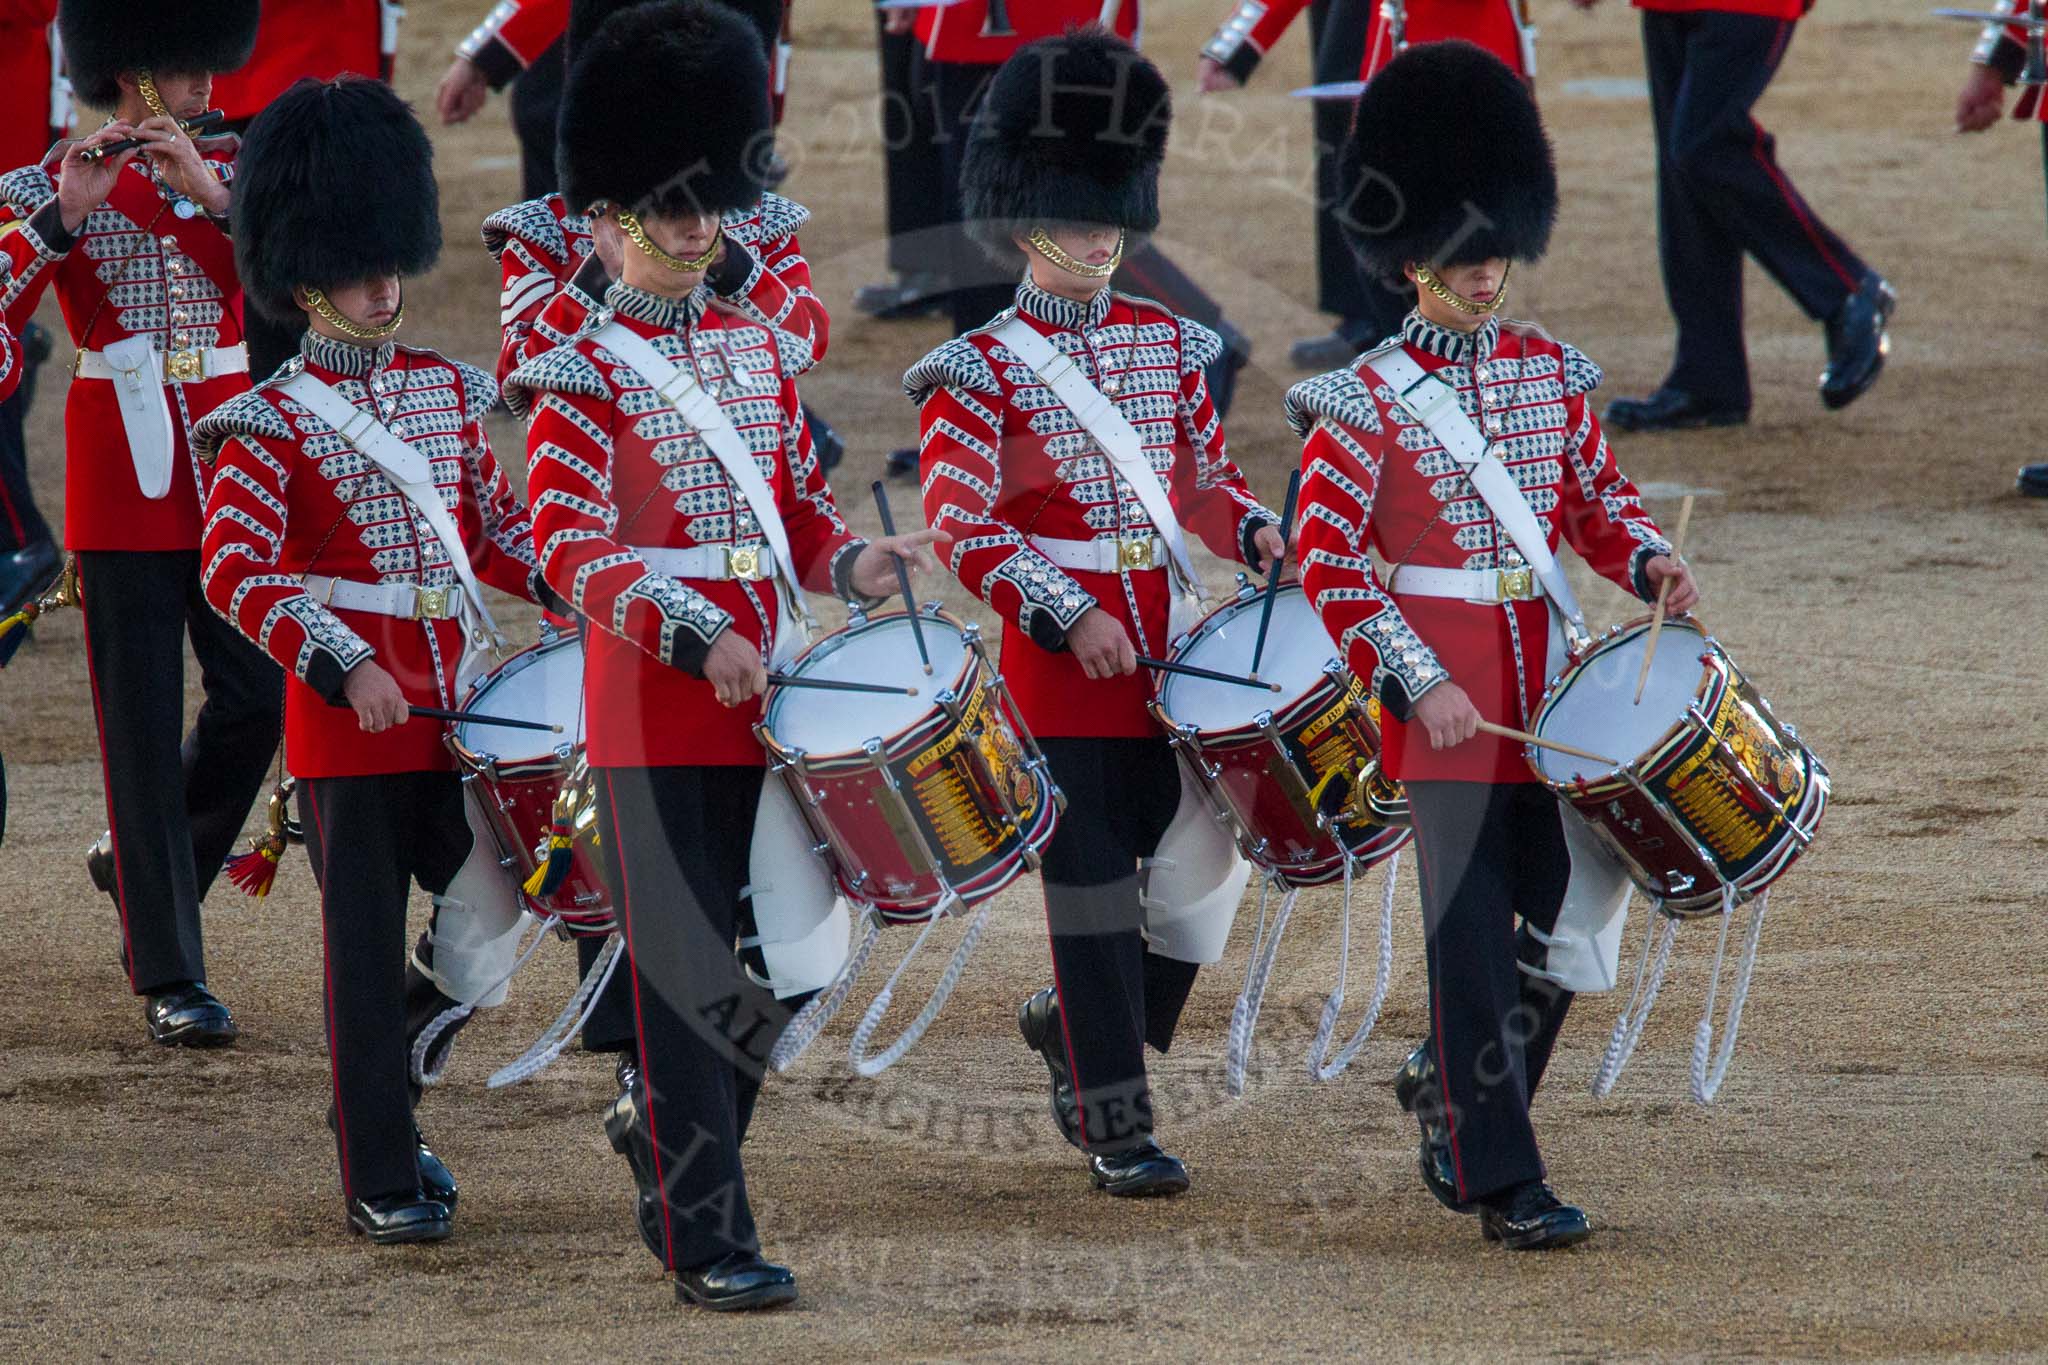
(1295, 773)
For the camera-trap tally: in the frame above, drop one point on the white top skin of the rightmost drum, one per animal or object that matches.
(1596, 709)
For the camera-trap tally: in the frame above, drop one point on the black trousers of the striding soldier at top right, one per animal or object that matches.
(1721, 193)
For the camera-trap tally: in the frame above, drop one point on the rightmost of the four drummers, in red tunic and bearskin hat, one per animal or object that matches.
(1461, 629)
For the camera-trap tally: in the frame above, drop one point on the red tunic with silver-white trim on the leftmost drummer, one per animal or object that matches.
(292, 498)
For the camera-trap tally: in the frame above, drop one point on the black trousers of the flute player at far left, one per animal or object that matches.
(175, 811)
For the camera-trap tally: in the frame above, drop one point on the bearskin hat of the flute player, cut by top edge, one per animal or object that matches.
(105, 38)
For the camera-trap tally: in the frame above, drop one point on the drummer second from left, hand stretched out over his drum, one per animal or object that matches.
(681, 509)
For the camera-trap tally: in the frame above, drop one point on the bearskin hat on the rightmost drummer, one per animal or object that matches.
(1447, 165)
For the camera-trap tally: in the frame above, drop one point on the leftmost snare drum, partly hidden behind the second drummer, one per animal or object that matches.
(519, 775)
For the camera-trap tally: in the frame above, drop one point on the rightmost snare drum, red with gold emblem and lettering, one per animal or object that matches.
(1713, 797)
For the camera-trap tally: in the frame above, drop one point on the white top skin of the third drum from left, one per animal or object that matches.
(1297, 650)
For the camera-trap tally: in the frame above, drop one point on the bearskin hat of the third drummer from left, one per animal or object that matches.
(1072, 132)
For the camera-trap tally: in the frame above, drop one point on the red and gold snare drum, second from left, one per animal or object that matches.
(916, 801)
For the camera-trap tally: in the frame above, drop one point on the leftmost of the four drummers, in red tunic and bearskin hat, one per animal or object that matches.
(355, 507)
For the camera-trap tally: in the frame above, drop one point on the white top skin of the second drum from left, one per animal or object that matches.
(882, 652)
